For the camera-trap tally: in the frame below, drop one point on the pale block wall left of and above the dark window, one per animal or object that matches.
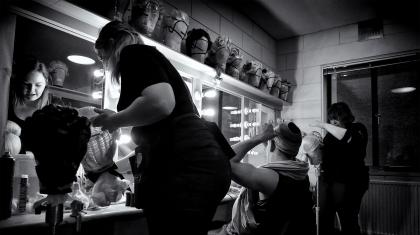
(300, 59)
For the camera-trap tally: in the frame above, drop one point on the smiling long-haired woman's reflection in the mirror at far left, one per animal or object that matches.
(28, 90)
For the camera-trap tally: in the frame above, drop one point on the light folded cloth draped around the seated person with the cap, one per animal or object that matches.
(243, 220)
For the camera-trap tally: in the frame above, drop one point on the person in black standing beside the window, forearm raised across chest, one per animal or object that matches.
(345, 178)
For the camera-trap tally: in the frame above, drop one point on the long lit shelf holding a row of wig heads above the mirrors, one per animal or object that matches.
(249, 79)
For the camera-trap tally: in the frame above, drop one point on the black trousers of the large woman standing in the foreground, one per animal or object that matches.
(188, 176)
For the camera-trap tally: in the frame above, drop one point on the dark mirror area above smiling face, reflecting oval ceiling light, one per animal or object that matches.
(75, 83)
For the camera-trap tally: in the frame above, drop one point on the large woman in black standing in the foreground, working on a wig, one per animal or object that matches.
(187, 172)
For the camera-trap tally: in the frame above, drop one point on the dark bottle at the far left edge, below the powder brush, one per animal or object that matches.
(7, 167)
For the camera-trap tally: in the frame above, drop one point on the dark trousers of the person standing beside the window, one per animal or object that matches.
(343, 199)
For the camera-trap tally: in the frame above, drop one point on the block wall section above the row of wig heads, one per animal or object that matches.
(220, 19)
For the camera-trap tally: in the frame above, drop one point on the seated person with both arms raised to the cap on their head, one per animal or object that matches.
(277, 192)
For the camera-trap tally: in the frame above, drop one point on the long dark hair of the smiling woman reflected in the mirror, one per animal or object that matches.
(21, 68)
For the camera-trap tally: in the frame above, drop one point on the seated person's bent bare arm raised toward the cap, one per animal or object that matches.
(260, 179)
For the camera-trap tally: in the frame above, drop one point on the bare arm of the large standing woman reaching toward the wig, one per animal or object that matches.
(156, 103)
